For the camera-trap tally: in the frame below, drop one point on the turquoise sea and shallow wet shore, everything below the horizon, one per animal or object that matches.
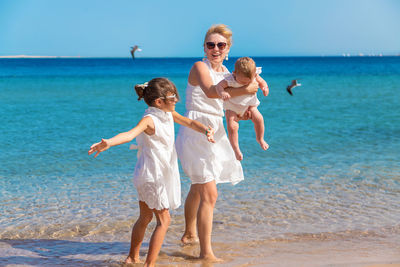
(326, 192)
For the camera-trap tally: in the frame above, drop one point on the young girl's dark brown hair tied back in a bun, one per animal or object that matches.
(156, 88)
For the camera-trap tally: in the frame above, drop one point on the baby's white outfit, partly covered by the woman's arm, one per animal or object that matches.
(239, 104)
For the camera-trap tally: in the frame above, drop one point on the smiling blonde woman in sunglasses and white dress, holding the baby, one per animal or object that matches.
(205, 164)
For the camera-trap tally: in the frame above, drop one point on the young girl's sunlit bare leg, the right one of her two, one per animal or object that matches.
(157, 238)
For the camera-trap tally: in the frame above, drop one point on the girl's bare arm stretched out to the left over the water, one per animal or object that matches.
(145, 125)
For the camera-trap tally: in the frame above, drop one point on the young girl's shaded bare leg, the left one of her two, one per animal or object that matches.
(138, 231)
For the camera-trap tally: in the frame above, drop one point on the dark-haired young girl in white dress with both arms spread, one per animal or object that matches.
(156, 176)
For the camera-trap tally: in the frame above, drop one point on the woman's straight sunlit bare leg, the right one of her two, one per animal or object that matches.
(208, 197)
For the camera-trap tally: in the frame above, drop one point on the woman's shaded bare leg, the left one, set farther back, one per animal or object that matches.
(191, 207)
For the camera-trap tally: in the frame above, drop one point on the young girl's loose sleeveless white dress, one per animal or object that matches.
(156, 176)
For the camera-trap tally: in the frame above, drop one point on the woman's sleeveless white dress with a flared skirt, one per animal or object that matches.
(201, 160)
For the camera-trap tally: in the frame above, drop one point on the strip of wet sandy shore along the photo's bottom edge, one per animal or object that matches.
(89, 251)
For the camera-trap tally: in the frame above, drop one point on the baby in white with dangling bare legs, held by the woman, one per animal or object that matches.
(235, 107)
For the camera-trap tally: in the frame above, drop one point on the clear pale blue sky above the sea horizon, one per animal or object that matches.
(99, 28)
